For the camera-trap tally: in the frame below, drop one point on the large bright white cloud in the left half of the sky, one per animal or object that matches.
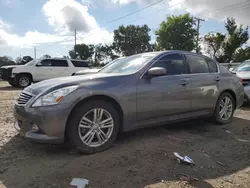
(64, 16)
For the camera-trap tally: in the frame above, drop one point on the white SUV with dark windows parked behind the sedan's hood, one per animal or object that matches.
(41, 69)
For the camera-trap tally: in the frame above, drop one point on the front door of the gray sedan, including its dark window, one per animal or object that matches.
(165, 97)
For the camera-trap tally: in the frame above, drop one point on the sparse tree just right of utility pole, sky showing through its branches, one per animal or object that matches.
(214, 43)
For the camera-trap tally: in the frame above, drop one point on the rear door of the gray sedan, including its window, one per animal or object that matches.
(204, 83)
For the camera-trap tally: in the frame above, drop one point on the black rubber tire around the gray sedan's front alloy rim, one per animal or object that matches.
(74, 132)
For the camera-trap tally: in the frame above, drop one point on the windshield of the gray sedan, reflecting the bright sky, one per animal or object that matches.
(127, 65)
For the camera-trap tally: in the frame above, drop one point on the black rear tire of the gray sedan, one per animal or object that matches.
(216, 116)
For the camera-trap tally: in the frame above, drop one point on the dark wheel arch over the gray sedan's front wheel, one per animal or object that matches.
(106, 98)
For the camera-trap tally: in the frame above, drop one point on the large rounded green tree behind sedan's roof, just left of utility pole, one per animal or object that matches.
(177, 33)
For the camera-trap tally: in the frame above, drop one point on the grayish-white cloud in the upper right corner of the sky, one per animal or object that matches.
(214, 9)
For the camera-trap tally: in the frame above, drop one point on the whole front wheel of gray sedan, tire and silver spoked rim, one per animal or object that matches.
(93, 126)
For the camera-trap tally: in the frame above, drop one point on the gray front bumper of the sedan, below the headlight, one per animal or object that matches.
(50, 120)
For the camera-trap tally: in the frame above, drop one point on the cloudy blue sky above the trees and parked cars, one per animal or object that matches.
(49, 25)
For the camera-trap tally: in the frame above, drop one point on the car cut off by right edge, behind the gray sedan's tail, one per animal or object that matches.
(243, 71)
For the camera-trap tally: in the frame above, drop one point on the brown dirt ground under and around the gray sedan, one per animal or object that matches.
(142, 158)
